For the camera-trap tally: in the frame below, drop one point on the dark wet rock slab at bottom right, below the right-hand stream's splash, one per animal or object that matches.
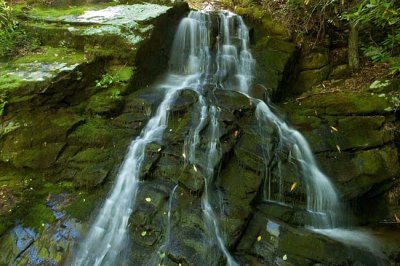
(277, 242)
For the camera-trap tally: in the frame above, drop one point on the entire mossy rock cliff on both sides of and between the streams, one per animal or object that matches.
(65, 127)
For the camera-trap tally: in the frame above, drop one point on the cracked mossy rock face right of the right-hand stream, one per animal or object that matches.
(353, 134)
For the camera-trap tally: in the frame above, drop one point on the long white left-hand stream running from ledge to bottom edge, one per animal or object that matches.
(107, 236)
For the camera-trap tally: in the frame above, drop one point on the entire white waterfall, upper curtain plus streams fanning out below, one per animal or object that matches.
(199, 61)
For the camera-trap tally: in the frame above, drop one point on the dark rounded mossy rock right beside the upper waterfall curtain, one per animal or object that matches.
(274, 51)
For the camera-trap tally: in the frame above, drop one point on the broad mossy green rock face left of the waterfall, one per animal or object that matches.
(67, 116)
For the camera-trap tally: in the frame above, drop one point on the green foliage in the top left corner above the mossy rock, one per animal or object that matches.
(13, 39)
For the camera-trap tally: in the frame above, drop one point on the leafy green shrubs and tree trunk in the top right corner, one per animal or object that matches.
(376, 21)
